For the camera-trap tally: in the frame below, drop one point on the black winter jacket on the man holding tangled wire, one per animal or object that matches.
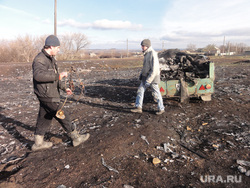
(46, 78)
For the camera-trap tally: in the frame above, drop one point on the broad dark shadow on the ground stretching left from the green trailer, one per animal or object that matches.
(122, 91)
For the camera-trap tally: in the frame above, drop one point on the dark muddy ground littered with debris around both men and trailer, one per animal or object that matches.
(198, 144)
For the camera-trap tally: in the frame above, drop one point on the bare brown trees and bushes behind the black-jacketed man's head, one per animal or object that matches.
(24, 49)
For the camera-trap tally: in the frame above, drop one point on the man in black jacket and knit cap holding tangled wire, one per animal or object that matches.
(47, 83)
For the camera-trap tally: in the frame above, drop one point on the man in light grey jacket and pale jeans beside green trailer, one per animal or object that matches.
(150, 76)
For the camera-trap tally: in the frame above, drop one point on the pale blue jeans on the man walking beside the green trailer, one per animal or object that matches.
(156, 94)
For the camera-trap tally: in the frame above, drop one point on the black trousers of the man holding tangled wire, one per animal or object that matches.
(47, 112)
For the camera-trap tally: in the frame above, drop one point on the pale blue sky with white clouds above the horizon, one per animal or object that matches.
(110, 23)
